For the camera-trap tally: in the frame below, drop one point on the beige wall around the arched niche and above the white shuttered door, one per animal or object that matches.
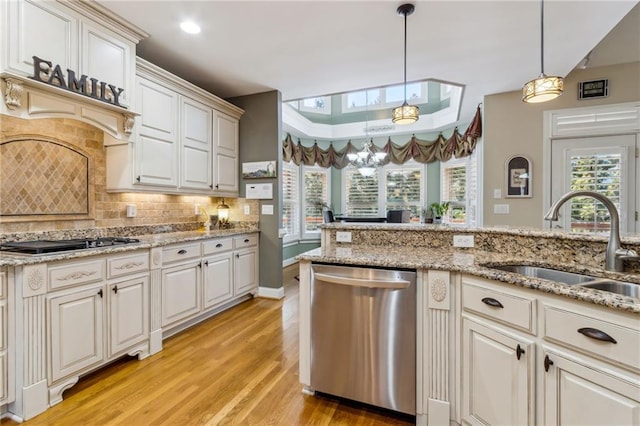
(512, 127)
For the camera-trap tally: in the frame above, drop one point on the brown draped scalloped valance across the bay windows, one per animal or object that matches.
(441, 149)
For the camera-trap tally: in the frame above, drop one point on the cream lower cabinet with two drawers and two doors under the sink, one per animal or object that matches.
(530, 358)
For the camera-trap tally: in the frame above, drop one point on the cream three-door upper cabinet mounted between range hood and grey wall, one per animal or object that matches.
(185, 140)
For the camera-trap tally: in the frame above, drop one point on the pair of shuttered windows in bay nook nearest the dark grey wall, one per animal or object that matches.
(305, 190)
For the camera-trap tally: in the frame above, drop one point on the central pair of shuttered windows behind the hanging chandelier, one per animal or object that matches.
(393, 187)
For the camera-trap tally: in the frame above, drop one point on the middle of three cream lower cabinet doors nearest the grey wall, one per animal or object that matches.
(218, 279)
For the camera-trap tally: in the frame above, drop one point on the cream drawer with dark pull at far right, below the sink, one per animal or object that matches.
(562, 327)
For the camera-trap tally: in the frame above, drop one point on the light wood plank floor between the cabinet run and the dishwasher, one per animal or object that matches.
(240, 367)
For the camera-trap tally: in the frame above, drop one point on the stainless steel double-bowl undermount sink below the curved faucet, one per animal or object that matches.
(570, 278)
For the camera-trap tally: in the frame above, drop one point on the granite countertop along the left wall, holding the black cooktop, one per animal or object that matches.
(146, 242)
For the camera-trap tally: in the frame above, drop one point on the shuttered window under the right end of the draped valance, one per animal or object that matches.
(458, 186)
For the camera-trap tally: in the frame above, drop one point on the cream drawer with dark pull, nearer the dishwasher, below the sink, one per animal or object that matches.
(514, 310)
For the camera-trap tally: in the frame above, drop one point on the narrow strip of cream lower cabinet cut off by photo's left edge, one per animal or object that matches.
(7, 368)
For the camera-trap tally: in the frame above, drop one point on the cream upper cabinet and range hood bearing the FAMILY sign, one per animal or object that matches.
(71, 59)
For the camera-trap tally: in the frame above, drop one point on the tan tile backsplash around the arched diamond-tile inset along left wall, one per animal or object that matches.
(110, 208)
